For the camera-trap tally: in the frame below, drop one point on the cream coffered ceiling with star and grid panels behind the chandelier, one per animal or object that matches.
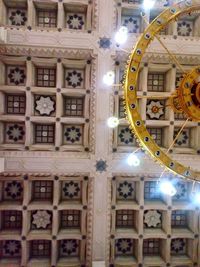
(67, 196)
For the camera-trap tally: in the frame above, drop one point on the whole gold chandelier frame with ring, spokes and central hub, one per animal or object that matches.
(185, 99)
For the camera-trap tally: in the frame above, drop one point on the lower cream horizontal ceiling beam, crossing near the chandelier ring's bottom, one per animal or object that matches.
(65, 164)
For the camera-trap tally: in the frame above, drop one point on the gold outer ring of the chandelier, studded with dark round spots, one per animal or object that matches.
(130, 92)
